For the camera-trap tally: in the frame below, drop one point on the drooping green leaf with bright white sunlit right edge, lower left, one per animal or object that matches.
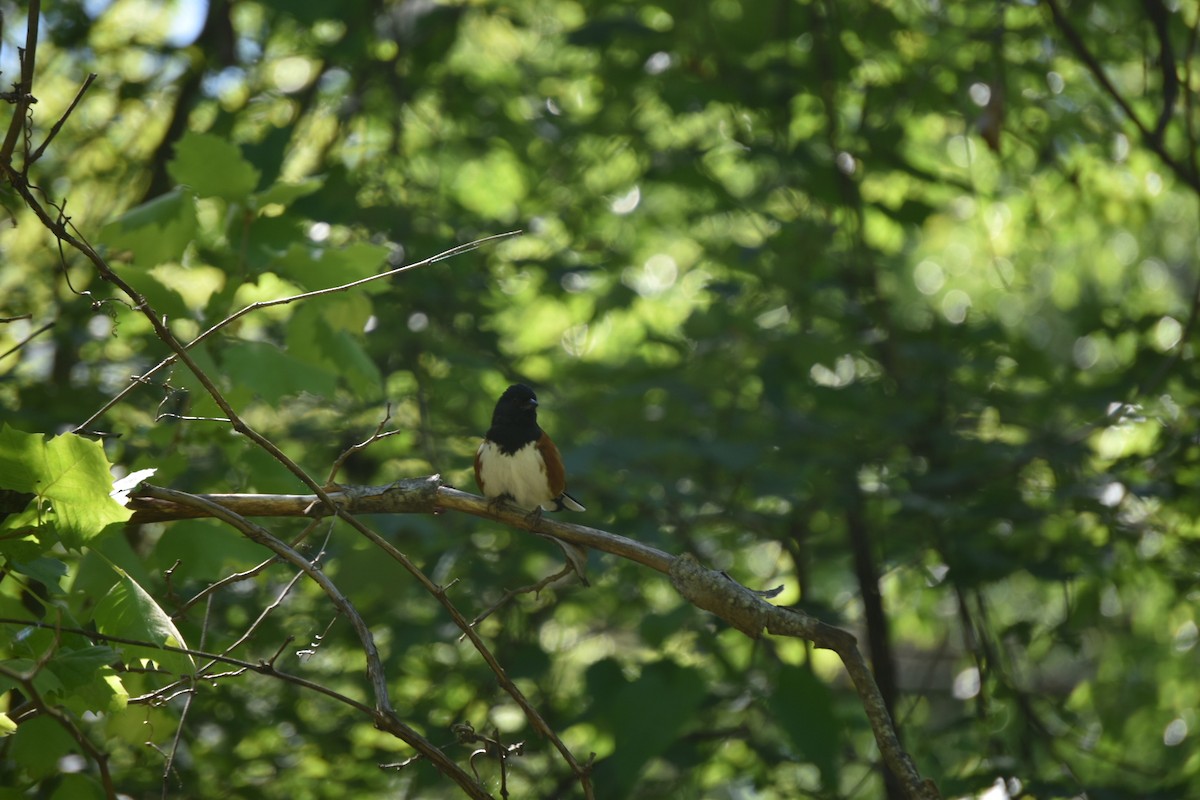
(128, 611)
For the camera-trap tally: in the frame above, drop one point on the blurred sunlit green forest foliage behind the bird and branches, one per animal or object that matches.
(886, 302)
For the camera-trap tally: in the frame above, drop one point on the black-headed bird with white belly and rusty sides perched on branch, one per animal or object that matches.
(518, 462)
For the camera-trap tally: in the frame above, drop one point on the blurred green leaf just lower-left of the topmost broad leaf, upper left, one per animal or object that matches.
(155, 232)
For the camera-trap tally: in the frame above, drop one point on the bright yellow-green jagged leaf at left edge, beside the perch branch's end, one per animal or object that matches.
(70, 472)
